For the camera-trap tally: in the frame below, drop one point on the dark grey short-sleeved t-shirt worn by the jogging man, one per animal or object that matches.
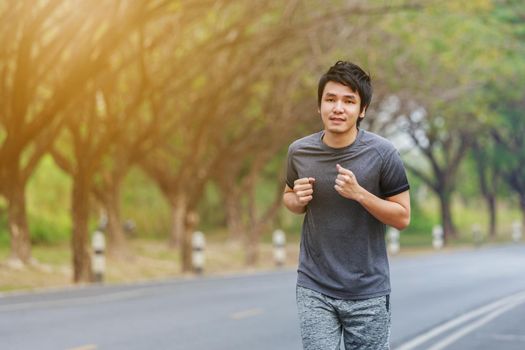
(343, 251)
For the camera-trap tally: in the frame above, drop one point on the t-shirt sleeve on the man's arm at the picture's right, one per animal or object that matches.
(393, 175)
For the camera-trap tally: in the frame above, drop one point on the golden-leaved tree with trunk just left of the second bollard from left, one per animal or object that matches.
(206, 96)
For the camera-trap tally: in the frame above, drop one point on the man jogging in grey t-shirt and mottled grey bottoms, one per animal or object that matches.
(350, 184)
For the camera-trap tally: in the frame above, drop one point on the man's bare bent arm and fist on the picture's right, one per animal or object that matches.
(393, 211)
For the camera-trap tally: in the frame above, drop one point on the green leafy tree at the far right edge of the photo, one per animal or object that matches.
(499, 147)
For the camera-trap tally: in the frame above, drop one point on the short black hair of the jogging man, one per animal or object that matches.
(350, 75)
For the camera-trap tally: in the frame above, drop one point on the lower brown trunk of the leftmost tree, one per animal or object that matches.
(18, 227)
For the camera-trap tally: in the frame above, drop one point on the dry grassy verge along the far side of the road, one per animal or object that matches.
(154, 260)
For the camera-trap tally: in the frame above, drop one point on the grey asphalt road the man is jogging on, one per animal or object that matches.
(461, 300)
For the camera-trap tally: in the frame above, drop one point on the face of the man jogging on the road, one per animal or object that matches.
(339, 108)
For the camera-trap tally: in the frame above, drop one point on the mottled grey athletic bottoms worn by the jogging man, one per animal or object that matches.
(363, 324)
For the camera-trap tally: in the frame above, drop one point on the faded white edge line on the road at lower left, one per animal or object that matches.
(72, 301)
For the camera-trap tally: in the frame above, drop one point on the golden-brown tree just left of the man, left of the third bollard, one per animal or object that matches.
(240, 170)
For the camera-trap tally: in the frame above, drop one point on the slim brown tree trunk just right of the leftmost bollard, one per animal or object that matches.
(117, 242)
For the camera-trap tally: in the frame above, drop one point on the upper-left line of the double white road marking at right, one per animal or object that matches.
(425, 337)
